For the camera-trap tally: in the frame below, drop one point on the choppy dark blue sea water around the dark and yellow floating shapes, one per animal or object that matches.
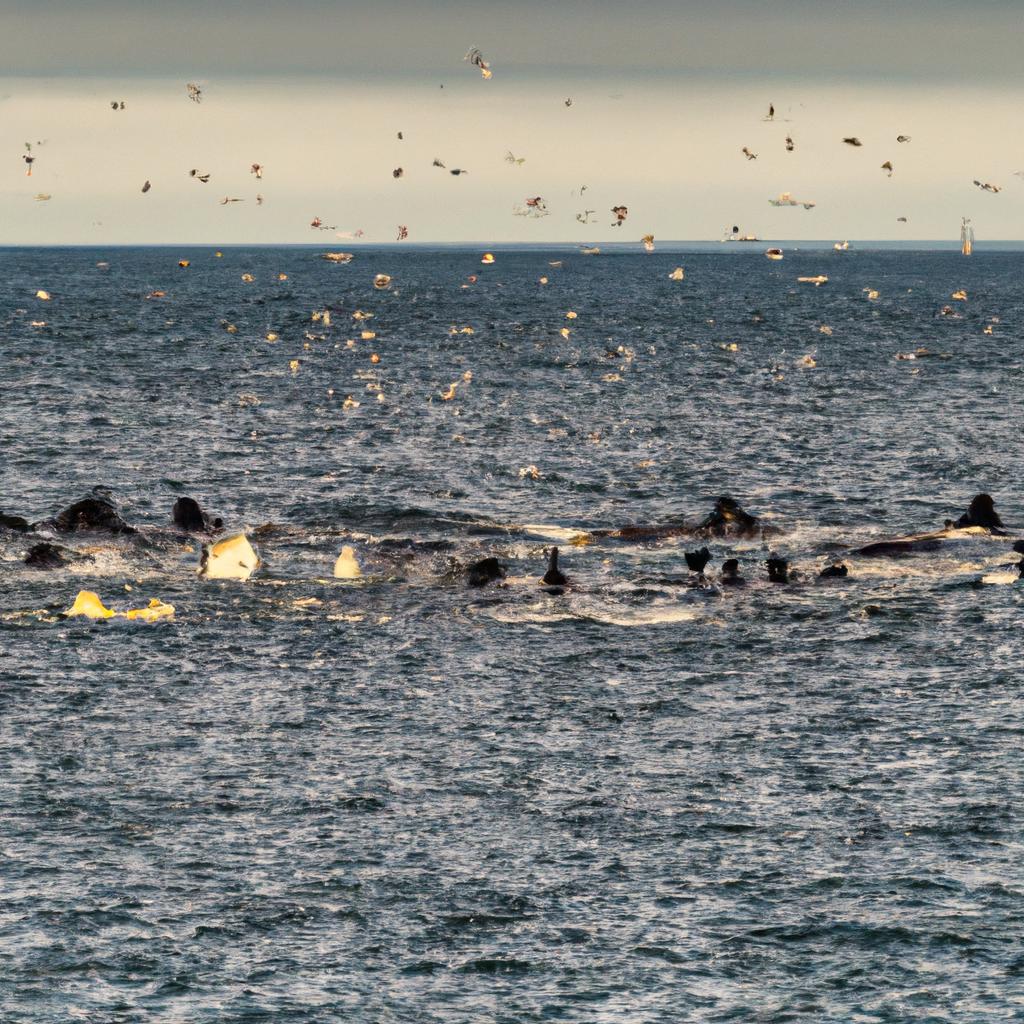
(403, 799)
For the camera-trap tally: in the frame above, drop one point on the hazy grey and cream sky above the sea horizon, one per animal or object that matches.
(665, 97)
